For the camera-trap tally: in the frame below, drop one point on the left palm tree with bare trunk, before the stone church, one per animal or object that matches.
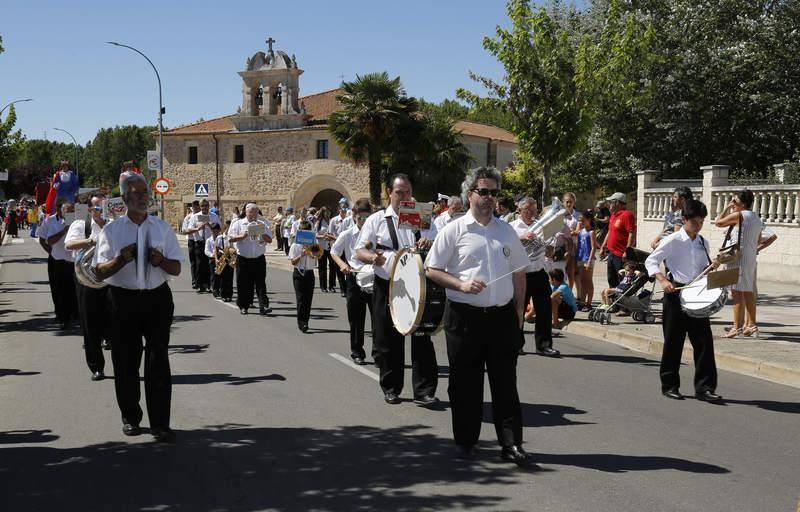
(373, 108)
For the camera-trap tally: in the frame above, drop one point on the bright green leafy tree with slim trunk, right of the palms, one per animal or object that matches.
(549, 113)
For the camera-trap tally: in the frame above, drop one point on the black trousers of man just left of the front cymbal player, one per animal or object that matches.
(95, 323)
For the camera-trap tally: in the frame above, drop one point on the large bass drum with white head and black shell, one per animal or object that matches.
(415, 302)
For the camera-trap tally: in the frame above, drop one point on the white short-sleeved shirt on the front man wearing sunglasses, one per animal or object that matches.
(468, 250)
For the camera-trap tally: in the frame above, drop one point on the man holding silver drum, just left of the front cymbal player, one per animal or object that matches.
(92, 303)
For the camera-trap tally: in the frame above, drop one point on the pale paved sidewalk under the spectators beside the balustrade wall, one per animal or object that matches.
(774, 356)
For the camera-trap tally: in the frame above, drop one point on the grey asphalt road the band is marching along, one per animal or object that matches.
(268, 420)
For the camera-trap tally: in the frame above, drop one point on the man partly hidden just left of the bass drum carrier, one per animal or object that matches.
(344, 254)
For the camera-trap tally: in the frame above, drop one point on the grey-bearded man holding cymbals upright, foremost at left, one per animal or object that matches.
(136, 255)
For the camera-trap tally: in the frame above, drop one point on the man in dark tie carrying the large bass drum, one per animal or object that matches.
(382, 232)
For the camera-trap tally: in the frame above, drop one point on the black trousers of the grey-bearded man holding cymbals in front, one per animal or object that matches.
(136, 314)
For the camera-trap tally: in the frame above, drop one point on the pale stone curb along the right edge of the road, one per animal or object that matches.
(648, 345)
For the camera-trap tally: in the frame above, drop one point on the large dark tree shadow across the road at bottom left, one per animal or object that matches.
(238, 468)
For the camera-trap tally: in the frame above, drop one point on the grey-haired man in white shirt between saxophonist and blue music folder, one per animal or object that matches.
(251, 264)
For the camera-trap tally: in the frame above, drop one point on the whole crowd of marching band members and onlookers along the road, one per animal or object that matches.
(487, 252)
